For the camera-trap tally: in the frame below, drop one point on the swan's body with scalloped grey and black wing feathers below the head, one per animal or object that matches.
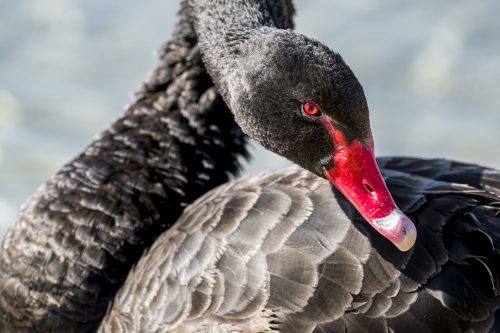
(285, 252)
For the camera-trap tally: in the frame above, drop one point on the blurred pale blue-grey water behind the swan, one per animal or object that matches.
(430, 71)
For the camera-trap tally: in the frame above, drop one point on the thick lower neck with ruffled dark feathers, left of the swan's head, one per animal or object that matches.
(78, 236)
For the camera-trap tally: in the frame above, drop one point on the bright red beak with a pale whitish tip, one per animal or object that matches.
(356, 174)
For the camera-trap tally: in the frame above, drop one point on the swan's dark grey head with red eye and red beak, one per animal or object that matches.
(299, 99)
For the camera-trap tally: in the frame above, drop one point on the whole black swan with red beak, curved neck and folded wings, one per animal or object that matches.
(275, 252)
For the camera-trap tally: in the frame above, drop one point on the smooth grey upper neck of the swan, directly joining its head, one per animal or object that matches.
(226, 27)
